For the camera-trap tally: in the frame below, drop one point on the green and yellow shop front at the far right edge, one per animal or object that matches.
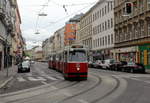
(144, 51)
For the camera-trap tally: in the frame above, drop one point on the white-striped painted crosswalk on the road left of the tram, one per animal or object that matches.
(38, 78)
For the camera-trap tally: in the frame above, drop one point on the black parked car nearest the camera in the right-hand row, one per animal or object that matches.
(134, 67)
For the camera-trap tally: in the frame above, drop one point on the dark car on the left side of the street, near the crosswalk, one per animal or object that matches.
(24, 66)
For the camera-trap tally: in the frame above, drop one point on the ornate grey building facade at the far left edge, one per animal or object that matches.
(7, 31)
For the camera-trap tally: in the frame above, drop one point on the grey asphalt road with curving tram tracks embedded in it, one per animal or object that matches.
(43, 85)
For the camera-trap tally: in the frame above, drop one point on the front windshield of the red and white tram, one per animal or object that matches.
(79, 56)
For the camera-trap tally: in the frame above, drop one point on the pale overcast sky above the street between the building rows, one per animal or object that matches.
(55, 19)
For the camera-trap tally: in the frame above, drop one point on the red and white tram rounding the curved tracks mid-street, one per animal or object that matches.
(72, 62)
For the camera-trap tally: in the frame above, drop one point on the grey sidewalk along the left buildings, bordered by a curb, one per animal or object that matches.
(11, 73)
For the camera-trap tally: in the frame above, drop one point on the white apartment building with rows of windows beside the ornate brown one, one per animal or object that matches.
(103, 29)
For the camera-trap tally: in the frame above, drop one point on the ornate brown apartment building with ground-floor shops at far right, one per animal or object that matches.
(132, 32)
